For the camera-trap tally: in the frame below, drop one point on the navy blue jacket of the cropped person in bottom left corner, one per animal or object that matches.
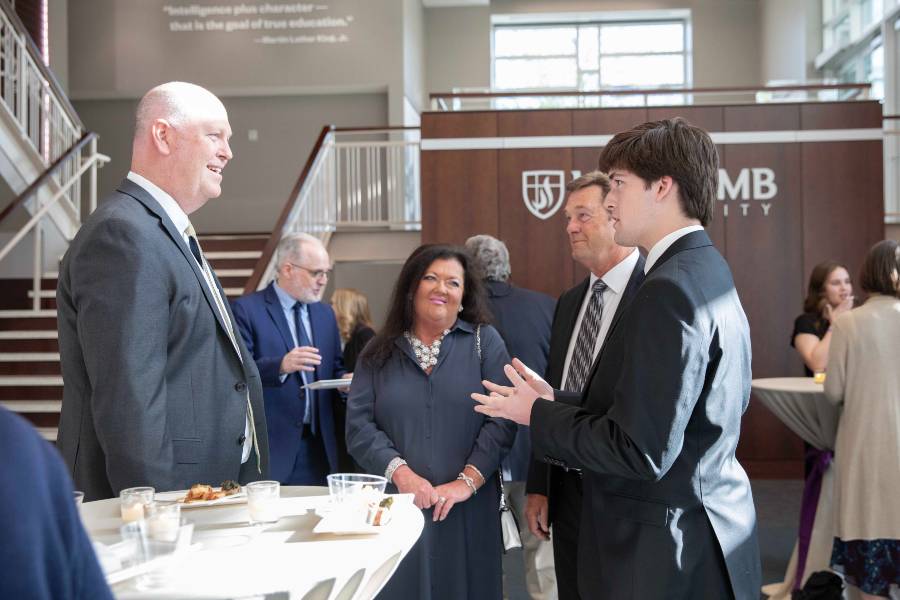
(45, 553)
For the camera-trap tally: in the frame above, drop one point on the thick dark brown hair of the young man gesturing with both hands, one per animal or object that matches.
(675, 148)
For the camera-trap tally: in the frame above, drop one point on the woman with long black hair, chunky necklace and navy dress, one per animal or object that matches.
(410, 416)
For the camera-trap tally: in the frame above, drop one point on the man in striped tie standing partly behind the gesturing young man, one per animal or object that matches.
(554, 493)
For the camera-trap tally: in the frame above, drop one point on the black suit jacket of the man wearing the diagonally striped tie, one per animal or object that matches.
(542, 478)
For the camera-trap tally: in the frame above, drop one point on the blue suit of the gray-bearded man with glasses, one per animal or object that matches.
(264, 328)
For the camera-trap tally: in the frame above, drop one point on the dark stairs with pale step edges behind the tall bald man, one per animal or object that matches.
(30, 379)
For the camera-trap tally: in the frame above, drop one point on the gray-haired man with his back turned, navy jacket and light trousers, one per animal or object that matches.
(512, 307)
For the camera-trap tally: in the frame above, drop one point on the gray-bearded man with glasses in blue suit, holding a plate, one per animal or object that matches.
(294, 340)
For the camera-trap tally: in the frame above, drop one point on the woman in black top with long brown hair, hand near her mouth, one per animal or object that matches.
(830, 294)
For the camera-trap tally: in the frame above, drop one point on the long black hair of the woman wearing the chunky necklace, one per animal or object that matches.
(401, 312)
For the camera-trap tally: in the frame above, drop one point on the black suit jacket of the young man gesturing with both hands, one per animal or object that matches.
(668, 511)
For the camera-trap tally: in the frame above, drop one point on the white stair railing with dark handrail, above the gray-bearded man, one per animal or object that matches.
(354, 178)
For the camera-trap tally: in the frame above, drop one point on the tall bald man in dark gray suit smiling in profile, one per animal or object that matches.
(159, 389)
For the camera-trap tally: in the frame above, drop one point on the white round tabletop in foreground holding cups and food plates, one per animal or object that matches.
(231, 559)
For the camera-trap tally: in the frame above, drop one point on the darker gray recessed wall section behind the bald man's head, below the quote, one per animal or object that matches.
(259, 179)
